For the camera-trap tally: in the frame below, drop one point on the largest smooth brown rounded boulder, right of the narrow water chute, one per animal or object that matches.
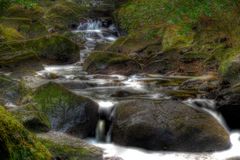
(167, 125)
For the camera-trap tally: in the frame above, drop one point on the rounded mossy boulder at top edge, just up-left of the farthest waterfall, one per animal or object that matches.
(65, 13)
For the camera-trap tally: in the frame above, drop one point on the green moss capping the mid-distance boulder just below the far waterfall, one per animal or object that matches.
(100, 59)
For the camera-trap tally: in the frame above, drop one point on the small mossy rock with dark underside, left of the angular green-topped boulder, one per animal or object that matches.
(32, 119)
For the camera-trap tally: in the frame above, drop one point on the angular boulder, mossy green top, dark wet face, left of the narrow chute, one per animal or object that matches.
(67, 111)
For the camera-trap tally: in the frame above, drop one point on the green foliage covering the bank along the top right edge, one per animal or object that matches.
(139, 13)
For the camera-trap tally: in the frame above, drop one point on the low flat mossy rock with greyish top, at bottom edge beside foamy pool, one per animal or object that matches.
(71, 148)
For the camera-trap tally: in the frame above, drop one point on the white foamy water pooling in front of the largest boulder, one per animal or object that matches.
(128, 153)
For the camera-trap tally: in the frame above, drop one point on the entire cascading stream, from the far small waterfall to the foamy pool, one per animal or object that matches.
(108, 90)
